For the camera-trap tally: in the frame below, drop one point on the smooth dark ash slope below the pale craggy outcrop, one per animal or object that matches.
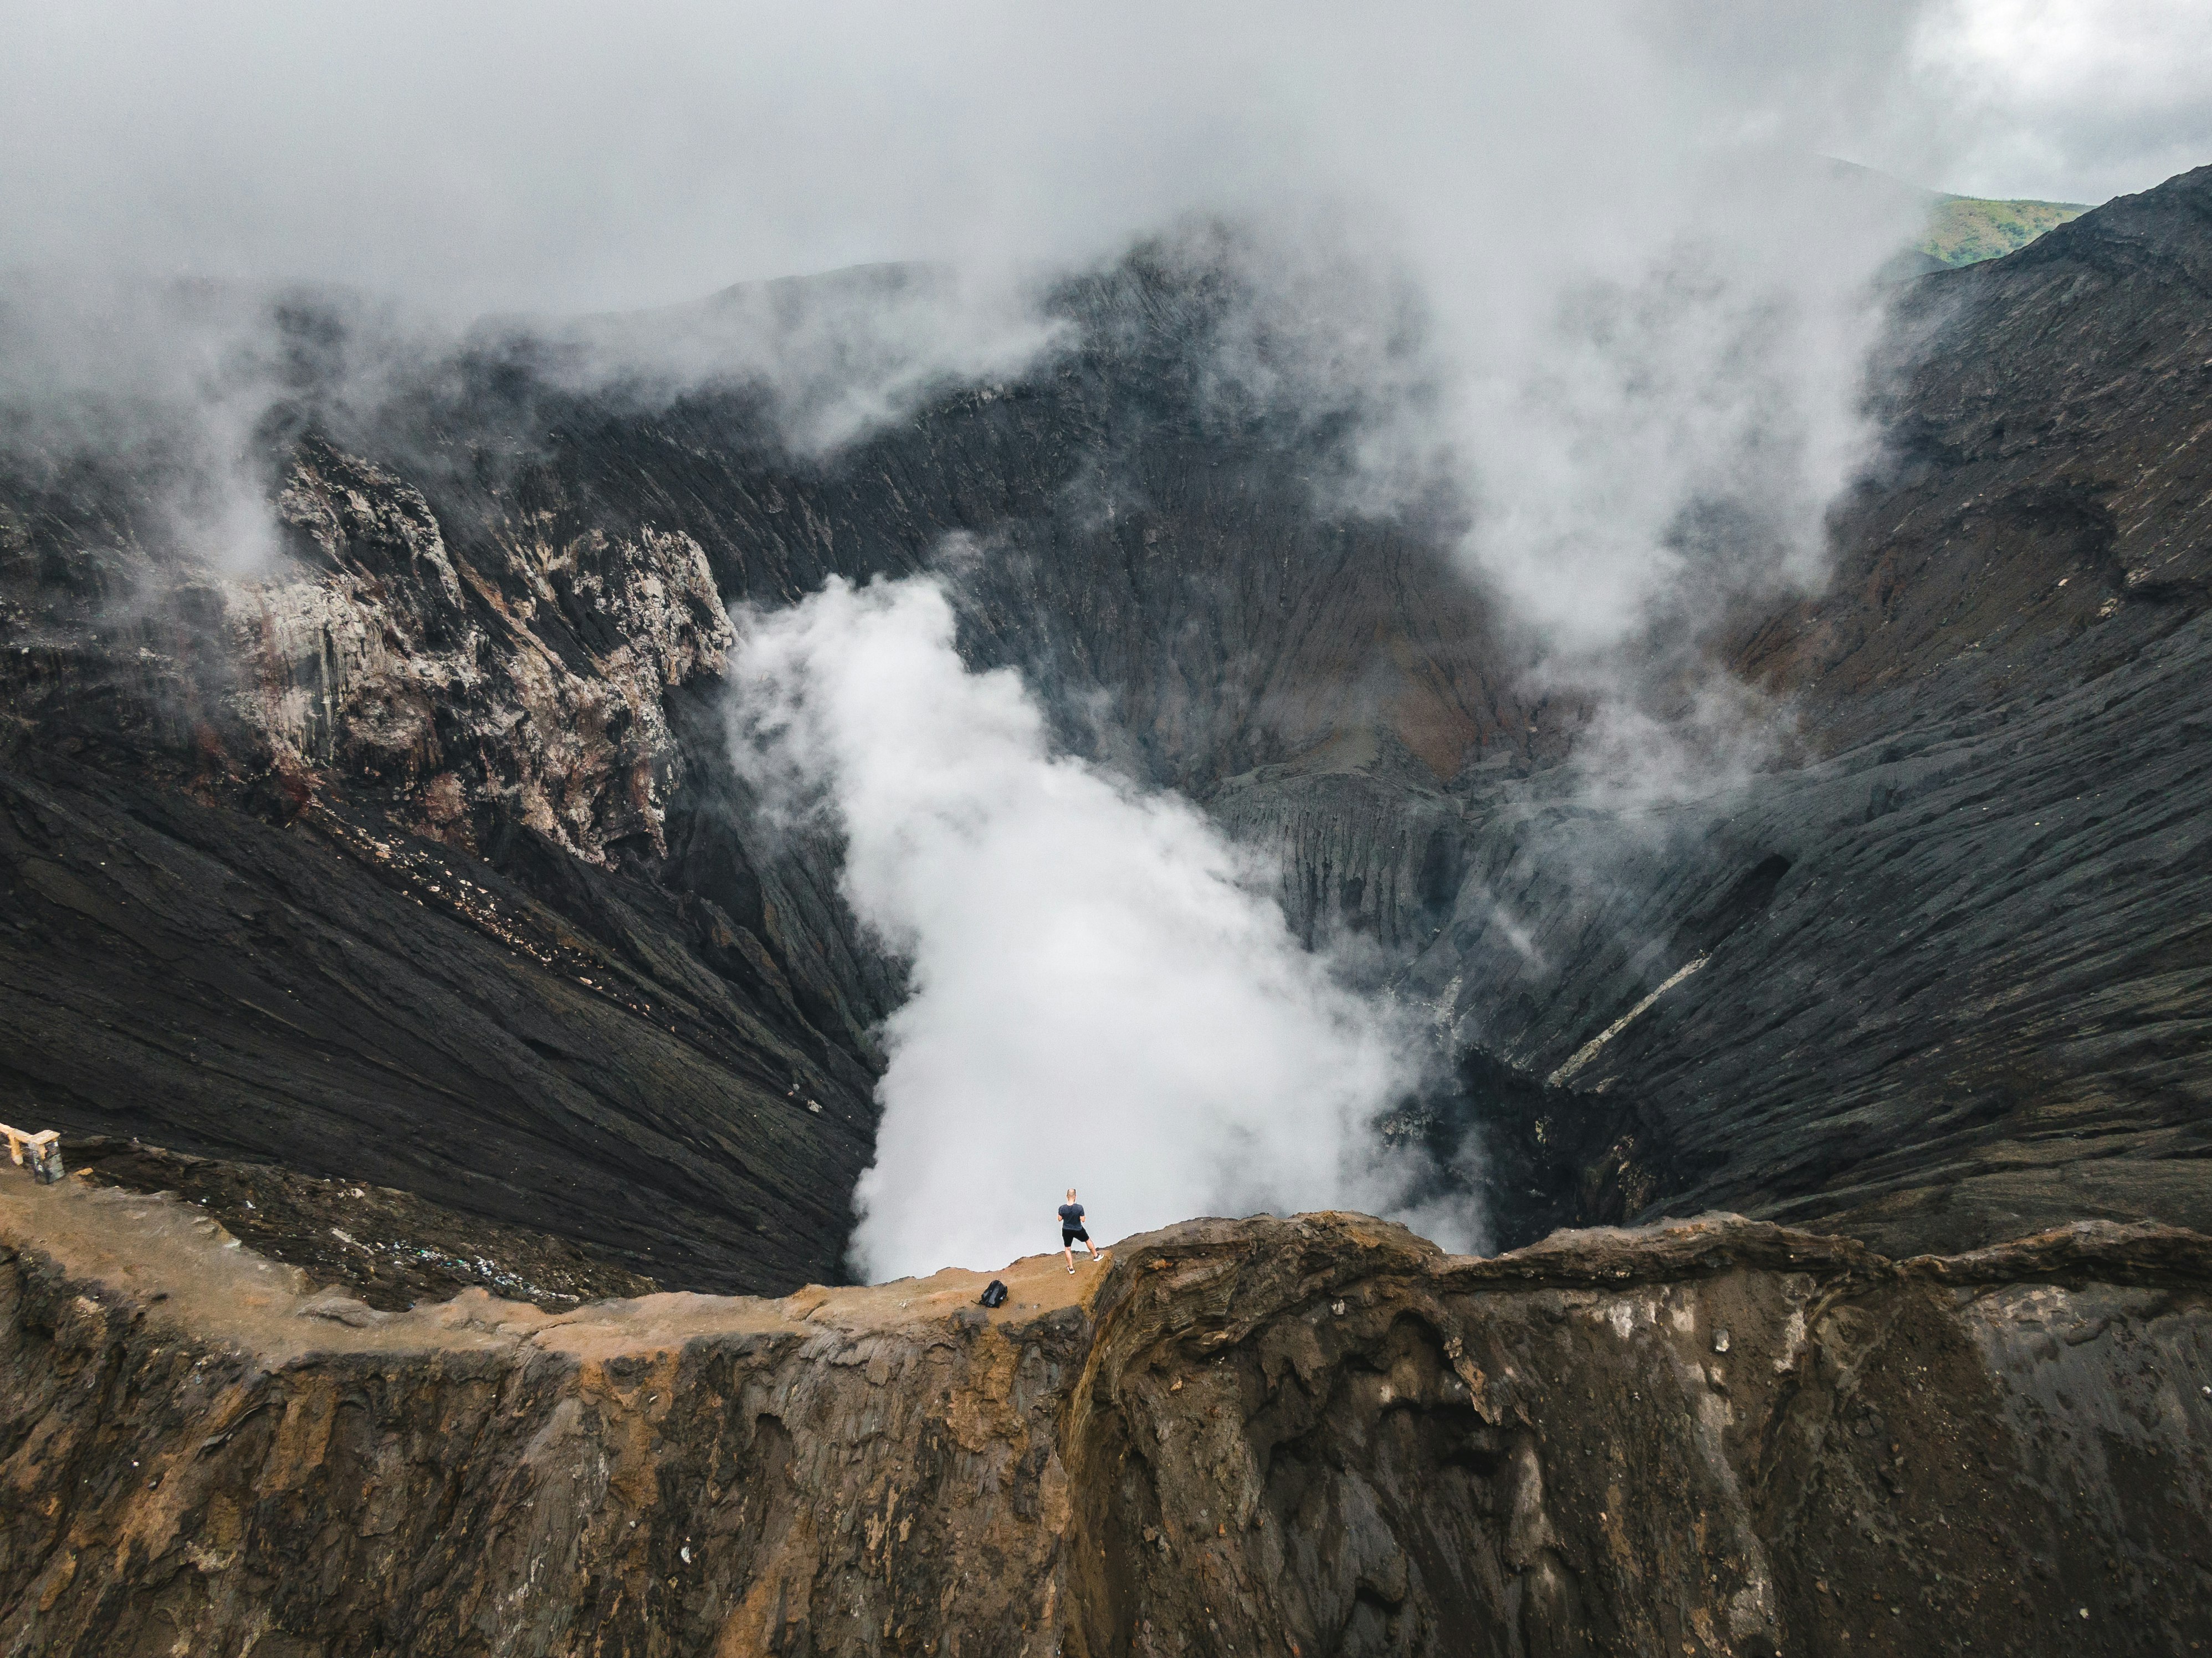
(390, 1011)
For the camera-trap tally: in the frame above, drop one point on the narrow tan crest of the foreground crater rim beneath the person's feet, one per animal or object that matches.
(187, 1272)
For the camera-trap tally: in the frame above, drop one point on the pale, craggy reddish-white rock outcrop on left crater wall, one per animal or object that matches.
(368, 661)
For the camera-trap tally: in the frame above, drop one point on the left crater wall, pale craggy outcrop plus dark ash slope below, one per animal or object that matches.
(368, 864)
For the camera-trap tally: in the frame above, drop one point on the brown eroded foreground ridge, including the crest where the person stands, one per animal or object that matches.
(1269, 1438)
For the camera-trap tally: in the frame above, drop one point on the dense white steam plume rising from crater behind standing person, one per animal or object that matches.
(1103, 993)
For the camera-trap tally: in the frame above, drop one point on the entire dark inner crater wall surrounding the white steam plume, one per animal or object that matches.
(419, 860)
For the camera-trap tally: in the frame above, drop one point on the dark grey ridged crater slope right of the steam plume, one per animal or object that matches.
(1976, 997)
